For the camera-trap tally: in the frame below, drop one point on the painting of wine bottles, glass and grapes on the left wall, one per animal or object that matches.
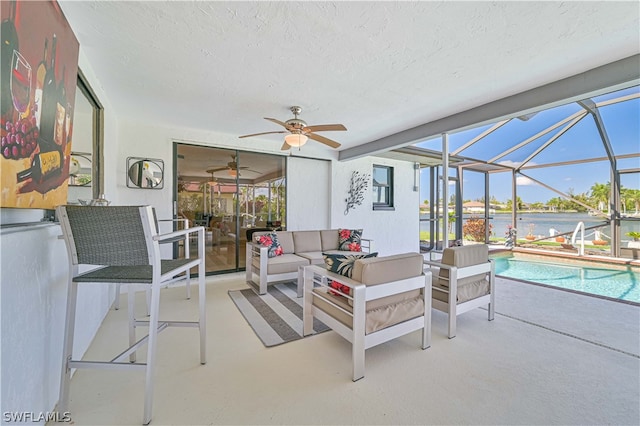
(39, 68)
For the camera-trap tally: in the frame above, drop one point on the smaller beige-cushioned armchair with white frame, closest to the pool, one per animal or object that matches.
(464, 279)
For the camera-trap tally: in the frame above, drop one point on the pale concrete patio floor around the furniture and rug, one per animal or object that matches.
(549, 357)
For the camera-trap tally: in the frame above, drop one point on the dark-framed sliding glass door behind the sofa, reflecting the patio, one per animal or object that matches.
(229, 192)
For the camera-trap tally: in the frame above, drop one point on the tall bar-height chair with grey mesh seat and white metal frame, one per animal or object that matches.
(120, 244)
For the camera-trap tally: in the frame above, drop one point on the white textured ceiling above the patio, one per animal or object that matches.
(377, 67)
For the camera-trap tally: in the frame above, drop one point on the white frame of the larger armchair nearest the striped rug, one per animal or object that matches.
(319, 276)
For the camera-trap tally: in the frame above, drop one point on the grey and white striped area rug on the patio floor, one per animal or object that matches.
(275, 317)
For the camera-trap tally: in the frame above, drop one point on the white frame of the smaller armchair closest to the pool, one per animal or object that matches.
(454, 309)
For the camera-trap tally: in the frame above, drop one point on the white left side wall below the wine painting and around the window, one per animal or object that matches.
(33, 294)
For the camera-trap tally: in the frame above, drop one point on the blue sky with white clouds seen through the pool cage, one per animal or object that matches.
(582, 141)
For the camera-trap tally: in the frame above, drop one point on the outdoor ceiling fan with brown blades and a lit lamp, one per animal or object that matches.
(298, 132)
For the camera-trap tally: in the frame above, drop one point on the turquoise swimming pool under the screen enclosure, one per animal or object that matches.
(615, 281)
